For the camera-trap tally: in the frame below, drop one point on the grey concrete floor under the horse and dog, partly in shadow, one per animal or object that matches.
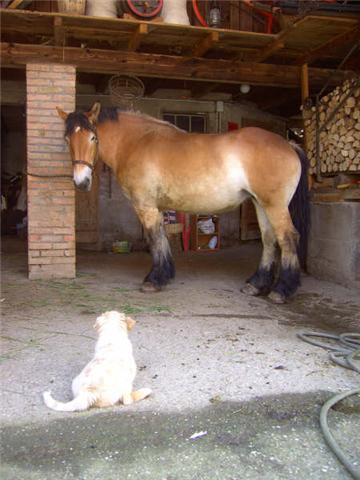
(218, 362)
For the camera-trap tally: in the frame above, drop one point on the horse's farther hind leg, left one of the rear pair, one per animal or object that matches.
(261, 282)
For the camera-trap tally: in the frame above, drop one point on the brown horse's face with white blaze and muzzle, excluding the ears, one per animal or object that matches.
(83, 149)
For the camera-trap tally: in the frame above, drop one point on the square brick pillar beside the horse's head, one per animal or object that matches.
(51, 201)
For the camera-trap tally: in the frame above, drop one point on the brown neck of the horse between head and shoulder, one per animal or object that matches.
(117, 140)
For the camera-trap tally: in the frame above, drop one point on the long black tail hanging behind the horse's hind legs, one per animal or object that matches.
(300, 207)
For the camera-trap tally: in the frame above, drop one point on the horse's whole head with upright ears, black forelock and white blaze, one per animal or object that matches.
(80, 134)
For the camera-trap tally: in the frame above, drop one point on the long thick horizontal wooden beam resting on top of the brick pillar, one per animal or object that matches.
(166, 66)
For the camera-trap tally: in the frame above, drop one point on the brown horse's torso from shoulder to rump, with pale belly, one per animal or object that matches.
(212, 172)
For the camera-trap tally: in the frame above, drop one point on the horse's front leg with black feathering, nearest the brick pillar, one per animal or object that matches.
(163, 268)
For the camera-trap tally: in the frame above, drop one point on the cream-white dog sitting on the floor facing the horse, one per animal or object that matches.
(108, 378)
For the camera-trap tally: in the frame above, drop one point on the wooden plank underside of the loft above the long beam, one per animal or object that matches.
(94, 32)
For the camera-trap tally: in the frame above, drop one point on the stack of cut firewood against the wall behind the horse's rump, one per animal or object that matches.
(340, 137)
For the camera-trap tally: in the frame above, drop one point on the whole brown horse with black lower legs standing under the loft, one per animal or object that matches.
(160, 167)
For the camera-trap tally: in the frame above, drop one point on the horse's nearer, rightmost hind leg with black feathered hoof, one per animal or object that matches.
(287, 238)
